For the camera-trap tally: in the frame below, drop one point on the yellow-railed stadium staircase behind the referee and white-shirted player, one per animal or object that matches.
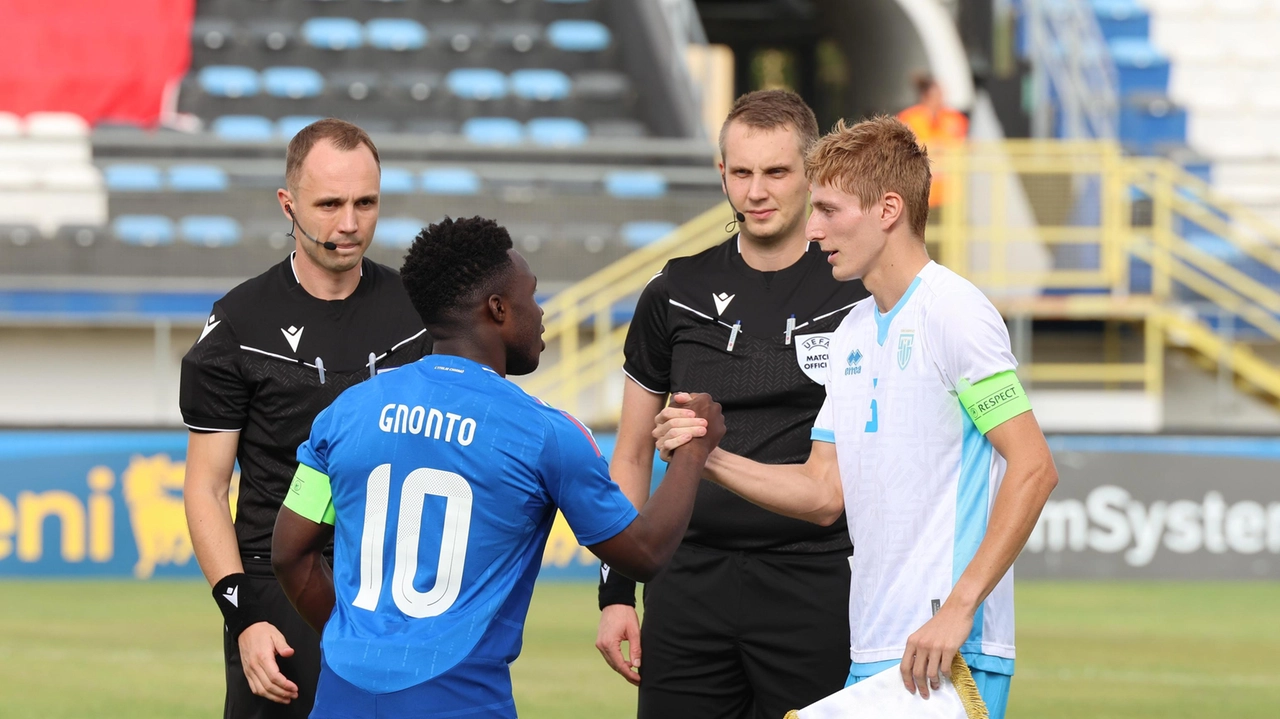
(1027, 217)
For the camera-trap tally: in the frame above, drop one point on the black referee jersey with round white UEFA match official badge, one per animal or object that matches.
(711, 323)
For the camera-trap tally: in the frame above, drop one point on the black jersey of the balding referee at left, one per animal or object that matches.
(272, 356)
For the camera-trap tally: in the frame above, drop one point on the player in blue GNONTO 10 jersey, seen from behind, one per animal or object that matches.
(438, 486)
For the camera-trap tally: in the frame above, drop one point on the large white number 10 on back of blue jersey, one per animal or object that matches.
(454, 542)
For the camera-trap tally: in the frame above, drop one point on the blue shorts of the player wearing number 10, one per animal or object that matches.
(468, 690)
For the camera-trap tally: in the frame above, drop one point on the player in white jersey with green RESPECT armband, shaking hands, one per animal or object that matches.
(926, 438)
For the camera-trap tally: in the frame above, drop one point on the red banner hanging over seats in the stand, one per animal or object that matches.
(100, 59)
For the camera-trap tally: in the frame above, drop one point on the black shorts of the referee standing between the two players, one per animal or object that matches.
(734, 635)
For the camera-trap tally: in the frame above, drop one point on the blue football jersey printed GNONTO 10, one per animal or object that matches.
(445, 480)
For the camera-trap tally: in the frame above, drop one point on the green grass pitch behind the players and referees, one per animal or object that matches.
(75, 649)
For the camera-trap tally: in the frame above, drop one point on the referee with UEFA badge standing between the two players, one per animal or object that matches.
(749, 620)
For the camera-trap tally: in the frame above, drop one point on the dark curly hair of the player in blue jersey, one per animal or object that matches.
(452, 263)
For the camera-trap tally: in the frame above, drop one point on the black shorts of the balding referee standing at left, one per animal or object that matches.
(303, 668)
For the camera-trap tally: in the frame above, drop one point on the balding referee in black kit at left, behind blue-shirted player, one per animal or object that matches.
(275, 352)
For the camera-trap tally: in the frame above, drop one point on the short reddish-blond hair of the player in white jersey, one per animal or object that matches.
(872, 158)
